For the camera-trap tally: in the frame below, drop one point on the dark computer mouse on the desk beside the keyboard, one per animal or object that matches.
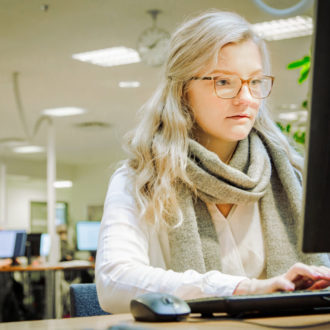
(159, 307)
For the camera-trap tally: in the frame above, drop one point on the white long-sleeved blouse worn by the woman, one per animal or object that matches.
(133, 257)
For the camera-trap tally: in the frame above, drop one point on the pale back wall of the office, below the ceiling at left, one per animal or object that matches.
(89, 188)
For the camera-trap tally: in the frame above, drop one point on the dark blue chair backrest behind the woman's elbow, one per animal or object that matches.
(84, 301)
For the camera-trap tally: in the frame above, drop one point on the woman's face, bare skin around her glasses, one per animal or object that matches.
(220, 120)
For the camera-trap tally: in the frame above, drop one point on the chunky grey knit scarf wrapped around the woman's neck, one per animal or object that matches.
(259, 171)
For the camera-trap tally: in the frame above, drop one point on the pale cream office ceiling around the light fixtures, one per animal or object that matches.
(38, 44)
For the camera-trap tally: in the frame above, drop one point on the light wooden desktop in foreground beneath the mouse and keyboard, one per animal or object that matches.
(192, 323)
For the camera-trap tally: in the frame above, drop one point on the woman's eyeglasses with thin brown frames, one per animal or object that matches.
(228, 86)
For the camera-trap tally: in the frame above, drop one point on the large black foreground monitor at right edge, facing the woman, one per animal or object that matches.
(316, 230)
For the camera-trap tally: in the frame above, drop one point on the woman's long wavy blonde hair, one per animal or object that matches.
(158, 147)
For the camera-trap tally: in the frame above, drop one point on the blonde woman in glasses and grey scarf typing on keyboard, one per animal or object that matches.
(208, 203)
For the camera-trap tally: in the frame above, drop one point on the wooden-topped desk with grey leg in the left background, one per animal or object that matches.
(53, 277)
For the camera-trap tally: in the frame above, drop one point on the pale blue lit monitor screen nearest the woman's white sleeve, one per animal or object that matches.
(87, 235)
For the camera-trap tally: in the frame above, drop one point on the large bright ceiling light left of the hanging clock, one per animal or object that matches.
(109, 57)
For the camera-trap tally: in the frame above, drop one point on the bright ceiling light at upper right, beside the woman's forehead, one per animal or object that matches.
(292, 27)
